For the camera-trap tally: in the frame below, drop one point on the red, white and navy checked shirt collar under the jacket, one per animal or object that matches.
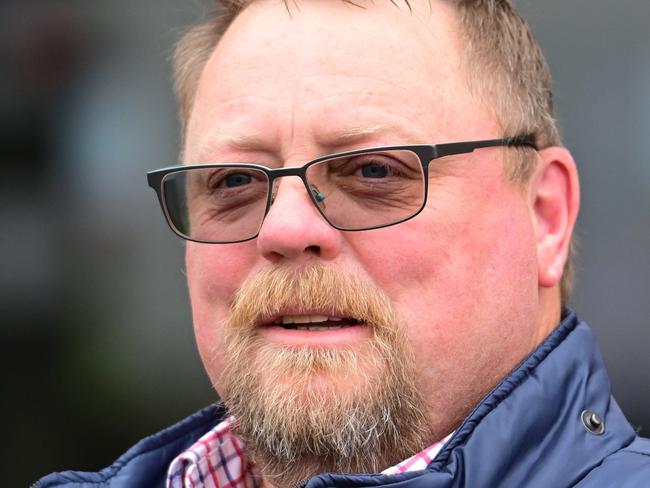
(218, 460)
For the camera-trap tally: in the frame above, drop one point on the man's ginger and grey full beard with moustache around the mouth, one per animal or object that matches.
(302, 411)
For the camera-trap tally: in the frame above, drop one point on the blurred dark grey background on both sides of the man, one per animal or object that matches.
(97, 347)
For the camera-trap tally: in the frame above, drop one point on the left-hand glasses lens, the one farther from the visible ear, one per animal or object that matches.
(222, 204)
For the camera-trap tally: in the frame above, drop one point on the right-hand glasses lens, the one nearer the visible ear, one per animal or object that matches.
(368, 190)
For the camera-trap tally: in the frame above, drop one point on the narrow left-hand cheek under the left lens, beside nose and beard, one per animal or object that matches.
(214, 273)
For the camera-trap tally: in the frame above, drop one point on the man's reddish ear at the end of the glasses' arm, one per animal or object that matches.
(556, 200)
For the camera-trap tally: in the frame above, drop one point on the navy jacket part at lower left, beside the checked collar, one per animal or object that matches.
(146, 463)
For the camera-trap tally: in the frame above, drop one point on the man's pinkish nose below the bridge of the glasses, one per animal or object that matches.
(294, 230)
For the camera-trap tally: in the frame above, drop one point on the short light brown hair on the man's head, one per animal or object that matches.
(506, 70)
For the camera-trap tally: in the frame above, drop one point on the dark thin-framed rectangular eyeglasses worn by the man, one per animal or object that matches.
(353, 191)
